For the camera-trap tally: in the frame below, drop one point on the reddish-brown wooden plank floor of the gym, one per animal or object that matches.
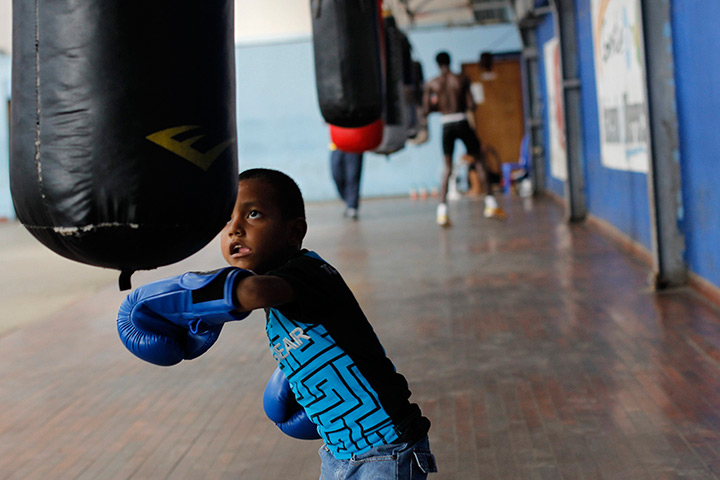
(535, 347)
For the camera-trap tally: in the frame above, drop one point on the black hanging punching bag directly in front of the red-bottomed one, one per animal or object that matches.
(346, 45)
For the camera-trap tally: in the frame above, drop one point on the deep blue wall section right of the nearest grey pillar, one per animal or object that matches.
(696, 43)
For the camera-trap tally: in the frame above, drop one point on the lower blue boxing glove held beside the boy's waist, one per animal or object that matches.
(282, 408)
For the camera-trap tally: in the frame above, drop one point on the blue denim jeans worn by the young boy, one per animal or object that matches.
(398, 461)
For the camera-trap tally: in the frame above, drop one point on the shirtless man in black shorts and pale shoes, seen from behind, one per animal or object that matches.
(449, 94)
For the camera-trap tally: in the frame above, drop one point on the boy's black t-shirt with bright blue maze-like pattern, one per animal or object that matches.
(335, 363)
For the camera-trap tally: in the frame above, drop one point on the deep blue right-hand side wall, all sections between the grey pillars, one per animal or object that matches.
(621, 198)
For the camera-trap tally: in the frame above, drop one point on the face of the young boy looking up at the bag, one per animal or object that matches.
(257, 237)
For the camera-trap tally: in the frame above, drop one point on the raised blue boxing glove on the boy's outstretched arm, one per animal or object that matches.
(179, 318)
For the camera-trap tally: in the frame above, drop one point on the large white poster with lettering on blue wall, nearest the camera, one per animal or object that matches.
(620, 78)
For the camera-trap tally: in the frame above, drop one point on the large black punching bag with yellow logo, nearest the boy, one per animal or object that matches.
(123, 149)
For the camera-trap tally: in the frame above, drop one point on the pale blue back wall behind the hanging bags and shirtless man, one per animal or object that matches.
(279, 123)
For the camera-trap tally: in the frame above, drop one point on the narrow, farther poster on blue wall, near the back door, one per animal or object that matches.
(556, 113)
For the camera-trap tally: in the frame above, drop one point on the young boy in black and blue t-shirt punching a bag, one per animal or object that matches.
(318, 334)
